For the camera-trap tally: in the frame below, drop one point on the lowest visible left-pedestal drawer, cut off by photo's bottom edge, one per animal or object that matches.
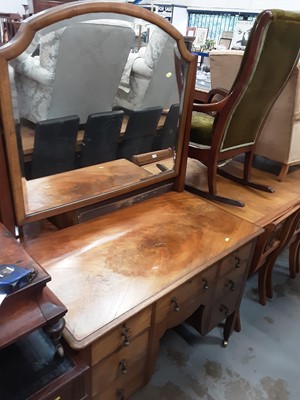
(122, 390)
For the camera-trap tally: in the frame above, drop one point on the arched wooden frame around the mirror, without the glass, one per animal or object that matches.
(22, 40)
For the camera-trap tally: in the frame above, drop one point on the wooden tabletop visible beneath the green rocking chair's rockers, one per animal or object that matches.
(261, 207)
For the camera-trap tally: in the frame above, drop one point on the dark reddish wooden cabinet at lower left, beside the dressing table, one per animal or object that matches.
(36, 367)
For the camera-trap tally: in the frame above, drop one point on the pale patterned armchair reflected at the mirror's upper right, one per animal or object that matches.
(149, 77)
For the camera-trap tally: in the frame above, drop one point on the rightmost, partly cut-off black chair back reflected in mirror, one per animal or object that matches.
(167, 136)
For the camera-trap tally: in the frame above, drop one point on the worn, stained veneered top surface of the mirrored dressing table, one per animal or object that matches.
(108, 269)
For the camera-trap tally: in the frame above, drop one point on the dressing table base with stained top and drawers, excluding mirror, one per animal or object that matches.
(128, 276)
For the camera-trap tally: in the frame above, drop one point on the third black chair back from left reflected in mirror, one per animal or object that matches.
(140, 132)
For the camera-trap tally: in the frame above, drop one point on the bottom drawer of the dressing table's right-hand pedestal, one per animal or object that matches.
(223, 308)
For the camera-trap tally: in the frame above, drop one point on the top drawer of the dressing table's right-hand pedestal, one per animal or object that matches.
(236, 262)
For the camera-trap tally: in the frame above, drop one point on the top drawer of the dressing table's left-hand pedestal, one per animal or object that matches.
(121, 336)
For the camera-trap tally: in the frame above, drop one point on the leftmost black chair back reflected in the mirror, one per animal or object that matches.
(54, 148)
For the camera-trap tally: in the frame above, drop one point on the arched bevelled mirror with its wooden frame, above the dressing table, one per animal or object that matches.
(95, 104)
